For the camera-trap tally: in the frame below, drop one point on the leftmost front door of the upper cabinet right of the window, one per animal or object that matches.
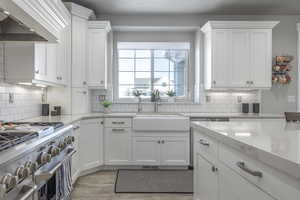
(221, 48)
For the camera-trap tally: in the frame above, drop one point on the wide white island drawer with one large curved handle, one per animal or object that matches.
(273, 182)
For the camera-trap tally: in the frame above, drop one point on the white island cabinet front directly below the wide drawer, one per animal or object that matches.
(232, 186)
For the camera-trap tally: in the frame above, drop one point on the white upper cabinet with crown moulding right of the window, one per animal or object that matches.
(238, 54)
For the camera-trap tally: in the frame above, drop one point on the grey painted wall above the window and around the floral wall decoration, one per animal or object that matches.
(284, 43)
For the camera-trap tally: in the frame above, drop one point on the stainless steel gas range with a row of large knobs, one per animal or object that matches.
(30, 153)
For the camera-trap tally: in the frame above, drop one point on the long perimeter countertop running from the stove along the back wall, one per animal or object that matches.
(67, 119)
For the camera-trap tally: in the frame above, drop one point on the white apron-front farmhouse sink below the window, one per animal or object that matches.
(160, 122)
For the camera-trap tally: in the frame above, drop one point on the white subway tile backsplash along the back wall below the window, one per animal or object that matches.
(221, 102)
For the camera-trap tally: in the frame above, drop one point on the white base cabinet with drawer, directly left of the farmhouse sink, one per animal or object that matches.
(117, 141)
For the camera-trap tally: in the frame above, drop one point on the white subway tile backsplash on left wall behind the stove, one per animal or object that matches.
(27, 102)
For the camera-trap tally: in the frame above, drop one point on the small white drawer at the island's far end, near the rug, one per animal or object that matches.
(205, 145)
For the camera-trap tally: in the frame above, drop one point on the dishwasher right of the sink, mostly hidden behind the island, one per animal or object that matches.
(203, 119)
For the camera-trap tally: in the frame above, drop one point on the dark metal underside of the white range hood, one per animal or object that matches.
(12, 29)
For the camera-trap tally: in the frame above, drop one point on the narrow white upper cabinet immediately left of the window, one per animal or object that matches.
(97, 54)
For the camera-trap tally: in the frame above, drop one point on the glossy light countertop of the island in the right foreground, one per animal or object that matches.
(274, 142)
